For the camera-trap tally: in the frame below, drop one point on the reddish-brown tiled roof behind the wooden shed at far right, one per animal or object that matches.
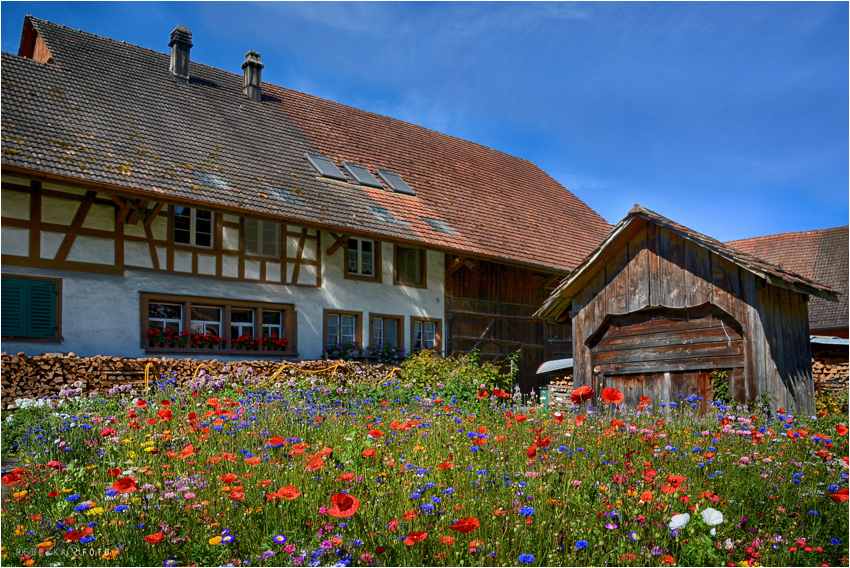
(820, 255)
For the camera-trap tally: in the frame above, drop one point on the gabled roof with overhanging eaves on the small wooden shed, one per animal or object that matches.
(560, 299)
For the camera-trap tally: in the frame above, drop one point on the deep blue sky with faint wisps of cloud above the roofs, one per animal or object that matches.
(730, 118)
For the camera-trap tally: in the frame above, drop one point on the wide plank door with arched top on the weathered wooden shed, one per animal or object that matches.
(663, 353)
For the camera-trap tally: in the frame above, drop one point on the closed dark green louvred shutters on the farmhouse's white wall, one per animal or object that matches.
(29, 308)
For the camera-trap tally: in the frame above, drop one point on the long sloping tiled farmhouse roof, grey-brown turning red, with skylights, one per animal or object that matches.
(111, 113)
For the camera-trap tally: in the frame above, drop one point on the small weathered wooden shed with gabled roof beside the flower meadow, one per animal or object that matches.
(657, 307)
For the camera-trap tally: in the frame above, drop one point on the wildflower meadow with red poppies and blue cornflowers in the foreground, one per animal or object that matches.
(461, 470)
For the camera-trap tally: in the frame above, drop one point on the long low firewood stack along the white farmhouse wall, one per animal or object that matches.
(46, 375)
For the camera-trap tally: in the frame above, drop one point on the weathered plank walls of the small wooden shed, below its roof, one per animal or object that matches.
(653, 267)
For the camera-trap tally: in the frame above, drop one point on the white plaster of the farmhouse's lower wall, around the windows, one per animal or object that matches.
(101, 313)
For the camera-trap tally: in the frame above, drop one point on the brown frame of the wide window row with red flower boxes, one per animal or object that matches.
(290, 321)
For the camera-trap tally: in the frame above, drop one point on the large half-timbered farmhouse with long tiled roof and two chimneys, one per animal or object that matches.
(155, 205)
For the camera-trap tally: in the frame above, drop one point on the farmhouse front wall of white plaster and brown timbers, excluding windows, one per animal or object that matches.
(107, 250)
